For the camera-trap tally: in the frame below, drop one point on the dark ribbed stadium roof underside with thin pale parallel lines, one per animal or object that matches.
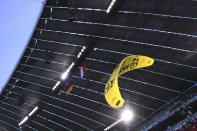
(163, 30)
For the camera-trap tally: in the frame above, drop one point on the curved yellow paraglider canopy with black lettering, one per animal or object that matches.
(112, 93)
